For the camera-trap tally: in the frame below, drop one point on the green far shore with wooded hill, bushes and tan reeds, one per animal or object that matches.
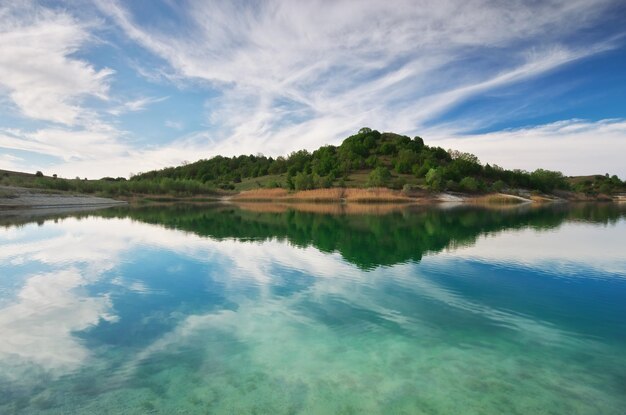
(366, 160)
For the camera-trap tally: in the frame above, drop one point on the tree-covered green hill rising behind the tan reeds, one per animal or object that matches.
(371, 158)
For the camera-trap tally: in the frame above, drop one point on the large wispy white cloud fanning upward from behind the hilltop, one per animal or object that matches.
(301, 75)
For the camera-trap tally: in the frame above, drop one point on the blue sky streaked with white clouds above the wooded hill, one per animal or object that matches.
(114, 88)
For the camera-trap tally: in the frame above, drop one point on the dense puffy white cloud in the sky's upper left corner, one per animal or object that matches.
(37, 67)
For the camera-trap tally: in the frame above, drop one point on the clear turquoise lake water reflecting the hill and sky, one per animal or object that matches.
(225, 310)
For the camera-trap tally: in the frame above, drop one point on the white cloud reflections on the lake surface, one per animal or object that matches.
(40, 323)
